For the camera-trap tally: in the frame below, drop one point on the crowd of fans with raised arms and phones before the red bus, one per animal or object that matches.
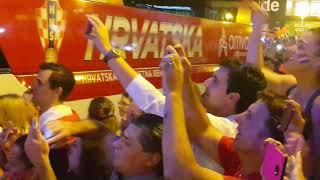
(222, 133)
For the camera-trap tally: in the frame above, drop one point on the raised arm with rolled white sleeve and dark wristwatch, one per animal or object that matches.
(144, 94)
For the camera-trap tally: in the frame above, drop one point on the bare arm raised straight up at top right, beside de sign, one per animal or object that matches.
(276, 82)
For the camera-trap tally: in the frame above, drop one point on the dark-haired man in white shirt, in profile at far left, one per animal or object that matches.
(52, 86)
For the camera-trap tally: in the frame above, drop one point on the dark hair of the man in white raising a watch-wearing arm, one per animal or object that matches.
(246, 80)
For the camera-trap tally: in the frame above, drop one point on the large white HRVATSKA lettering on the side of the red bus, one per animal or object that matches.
(152, 37)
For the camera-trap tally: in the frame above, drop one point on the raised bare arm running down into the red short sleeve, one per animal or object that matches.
(200, 129)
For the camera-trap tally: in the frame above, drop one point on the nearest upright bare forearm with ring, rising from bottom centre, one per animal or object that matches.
(179, 160)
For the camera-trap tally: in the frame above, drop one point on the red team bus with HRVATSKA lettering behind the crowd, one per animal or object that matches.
(33, 30)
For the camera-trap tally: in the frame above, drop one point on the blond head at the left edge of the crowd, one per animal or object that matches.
(14, 110)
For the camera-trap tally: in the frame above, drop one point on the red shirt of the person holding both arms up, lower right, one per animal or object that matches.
(230, 161)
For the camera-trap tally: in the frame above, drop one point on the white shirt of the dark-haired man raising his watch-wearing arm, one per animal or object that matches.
(151, 100)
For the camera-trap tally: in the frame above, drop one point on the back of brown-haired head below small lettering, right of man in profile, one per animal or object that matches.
(102, 109)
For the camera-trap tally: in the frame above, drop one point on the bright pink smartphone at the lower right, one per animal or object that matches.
(274, 163)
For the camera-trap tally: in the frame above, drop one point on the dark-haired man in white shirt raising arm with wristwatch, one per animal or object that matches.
(229, 91)
